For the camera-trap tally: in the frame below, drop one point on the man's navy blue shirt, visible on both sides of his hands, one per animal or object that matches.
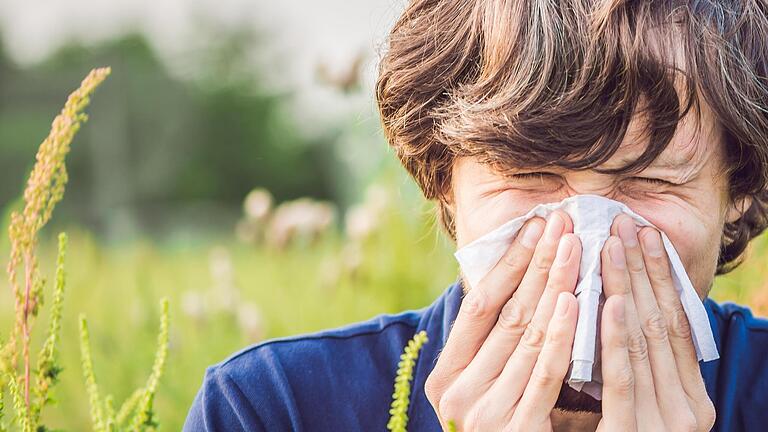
(342, 379)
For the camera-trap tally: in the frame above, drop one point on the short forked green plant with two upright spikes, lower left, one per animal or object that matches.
(136, 413)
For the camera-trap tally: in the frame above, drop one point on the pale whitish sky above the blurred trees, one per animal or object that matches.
(304, 33)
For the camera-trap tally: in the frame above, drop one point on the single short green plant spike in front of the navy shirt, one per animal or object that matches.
(398, 419)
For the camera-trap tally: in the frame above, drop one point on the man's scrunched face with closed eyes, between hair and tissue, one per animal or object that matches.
(682, 193)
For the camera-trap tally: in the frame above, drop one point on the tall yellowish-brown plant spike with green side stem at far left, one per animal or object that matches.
(44, 189)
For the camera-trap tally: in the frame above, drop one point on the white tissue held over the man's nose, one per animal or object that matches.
(592, 216)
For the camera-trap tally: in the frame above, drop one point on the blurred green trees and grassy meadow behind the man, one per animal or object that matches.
(202, 183)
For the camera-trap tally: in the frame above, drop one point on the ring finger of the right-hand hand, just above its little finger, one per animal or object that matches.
(616, 281)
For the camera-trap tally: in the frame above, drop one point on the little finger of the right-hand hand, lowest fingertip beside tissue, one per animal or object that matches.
(618, 401)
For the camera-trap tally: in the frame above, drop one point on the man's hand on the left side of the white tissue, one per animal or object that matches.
(508, 351)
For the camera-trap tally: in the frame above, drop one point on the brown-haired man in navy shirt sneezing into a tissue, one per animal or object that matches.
(494, 107)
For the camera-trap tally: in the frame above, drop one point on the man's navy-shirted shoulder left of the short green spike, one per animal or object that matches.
(332, 379)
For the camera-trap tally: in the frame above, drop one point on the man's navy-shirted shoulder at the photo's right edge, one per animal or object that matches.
(738, 381)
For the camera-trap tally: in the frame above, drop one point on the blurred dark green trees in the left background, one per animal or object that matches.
(161, 152)
